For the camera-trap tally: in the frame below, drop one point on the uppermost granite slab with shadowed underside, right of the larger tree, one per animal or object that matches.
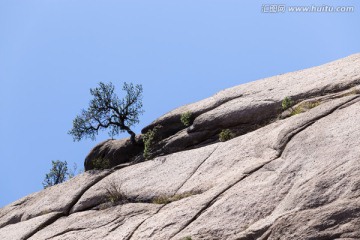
(253, 104)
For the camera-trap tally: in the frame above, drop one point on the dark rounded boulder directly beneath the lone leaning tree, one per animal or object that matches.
(116, 151)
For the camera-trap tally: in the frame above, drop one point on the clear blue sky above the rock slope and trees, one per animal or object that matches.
(53, 52)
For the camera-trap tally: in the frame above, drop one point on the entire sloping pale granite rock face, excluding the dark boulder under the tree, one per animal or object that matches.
(287, 175)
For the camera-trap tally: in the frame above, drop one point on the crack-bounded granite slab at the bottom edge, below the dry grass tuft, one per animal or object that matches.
(110, 224)
